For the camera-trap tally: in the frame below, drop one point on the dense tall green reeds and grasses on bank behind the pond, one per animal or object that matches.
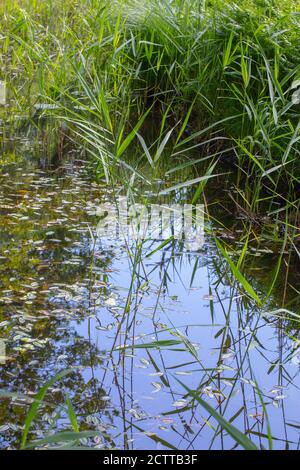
(231, 68)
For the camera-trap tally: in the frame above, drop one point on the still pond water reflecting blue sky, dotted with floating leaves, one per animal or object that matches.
(138, 327)
